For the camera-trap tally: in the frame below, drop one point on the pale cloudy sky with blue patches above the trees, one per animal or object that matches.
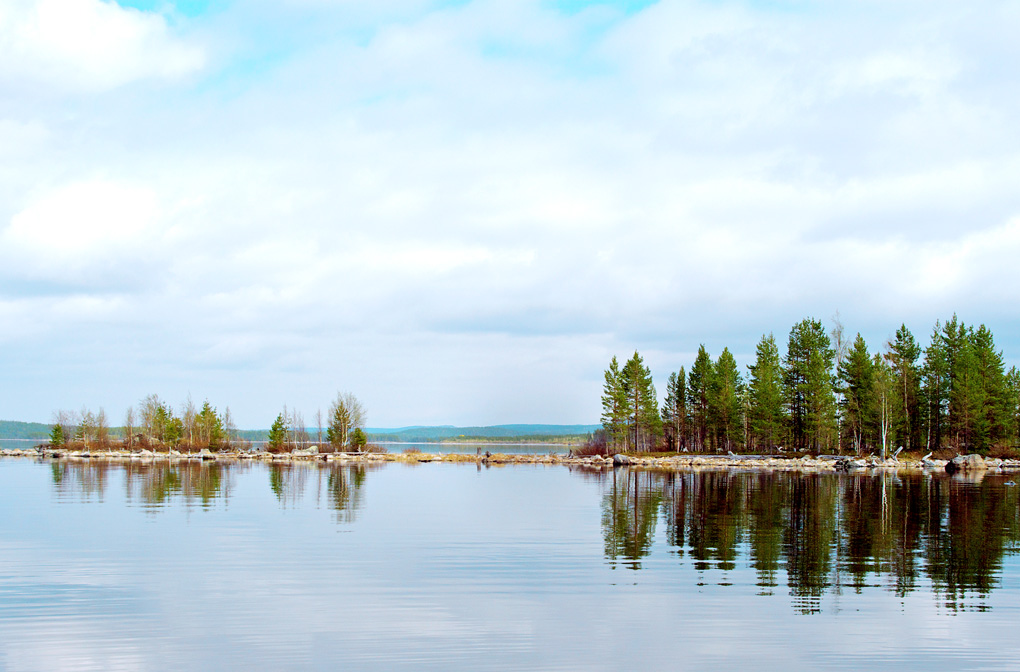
(461, 212)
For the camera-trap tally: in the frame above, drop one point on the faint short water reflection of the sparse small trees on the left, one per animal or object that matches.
(159, 483)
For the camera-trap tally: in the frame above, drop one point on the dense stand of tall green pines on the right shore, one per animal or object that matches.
(826, 394)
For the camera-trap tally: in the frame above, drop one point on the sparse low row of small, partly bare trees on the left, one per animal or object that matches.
(156, 425)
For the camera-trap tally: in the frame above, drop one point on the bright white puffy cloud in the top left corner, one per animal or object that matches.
(85, 45)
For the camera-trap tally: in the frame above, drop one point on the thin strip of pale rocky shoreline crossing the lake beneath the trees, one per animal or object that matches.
(678, 462)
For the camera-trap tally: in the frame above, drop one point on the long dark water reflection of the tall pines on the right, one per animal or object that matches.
(823, 534)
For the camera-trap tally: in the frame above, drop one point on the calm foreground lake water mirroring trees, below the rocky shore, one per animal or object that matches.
(454, 567)
